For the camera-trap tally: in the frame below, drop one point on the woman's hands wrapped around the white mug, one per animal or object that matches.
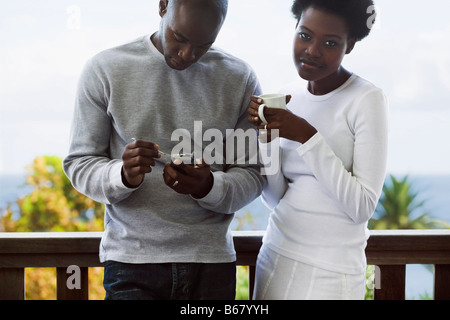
(289, 125)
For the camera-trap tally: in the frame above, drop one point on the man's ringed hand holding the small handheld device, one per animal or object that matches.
(196, 180)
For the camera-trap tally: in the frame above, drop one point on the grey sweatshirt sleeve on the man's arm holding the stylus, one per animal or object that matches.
(88, 164)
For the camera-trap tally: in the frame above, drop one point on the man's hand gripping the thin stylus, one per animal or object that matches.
(138, 158)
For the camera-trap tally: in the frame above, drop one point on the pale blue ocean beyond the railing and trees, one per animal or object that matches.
(432, 189)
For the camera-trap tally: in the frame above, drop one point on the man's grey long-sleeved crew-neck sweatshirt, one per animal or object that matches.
(129, 91)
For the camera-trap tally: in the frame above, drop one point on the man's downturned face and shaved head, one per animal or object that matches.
(188, 29)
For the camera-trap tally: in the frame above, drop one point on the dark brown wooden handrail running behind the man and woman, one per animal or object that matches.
(406, 244)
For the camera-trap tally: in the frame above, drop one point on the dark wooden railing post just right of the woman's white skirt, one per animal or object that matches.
(392, 283)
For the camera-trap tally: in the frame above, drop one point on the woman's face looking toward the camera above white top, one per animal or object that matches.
(321, 42)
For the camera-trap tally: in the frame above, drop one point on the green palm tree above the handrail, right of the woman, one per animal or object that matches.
(397, 206)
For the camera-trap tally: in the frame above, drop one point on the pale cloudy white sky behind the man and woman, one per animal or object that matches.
(45, 44)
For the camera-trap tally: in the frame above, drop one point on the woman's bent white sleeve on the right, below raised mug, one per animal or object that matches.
(357, 191)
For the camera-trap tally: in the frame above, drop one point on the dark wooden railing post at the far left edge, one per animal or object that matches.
(12, 284)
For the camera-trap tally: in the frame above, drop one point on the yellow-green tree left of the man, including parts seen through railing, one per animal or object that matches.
(53, 205)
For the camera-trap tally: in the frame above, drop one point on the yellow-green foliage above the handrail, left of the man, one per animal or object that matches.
(53, 205)
